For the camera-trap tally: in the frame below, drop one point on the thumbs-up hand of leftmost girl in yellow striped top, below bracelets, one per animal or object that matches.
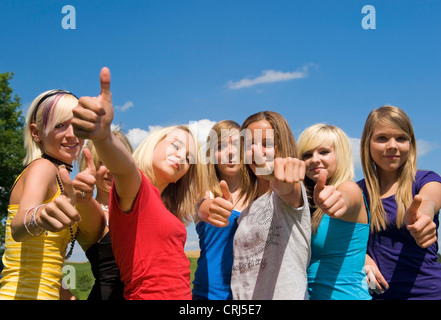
(60, 213)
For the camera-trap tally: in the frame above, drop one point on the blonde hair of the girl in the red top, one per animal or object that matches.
(180, 197)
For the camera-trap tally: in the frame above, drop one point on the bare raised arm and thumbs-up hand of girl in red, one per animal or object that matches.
(92, 120)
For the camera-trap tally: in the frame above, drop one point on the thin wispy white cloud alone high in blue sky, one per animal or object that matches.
(268, 76)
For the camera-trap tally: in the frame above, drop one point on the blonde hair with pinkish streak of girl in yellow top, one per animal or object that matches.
(54, 107)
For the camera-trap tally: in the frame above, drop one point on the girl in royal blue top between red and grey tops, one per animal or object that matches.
(216, 218)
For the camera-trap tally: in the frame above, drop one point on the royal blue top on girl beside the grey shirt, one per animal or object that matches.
(212, 277)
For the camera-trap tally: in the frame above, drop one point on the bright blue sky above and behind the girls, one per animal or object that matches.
(180, 61)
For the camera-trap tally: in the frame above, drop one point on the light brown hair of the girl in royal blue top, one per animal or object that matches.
(212, 146)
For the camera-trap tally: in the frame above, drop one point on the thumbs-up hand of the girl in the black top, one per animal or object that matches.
(84, 182)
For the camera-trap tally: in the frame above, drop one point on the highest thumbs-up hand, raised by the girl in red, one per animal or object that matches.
(93, 115)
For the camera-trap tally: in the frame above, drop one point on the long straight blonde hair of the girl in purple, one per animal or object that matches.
(395, 118)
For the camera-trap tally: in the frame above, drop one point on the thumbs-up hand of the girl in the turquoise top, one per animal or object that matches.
(330, 200)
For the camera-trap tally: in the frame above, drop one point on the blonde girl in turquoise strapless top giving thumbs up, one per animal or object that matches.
(339, 218)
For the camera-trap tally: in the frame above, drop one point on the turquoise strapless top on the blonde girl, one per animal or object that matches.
(338, 253)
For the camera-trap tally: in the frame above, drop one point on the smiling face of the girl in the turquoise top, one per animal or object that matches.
(321, 158)
